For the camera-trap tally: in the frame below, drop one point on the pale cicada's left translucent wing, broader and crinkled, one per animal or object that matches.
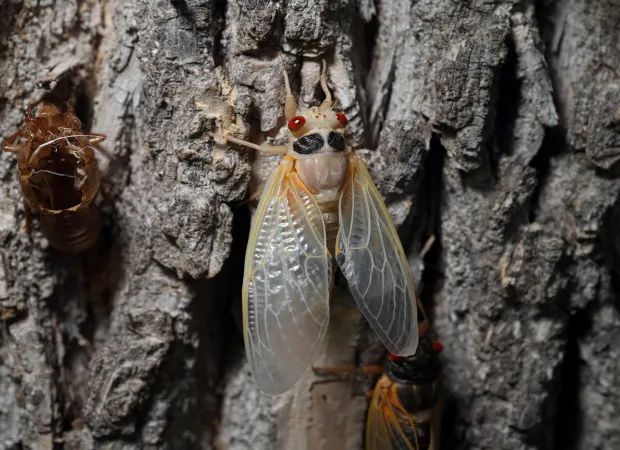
(286, 283)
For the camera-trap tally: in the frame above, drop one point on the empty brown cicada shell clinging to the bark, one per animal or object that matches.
(59, 175)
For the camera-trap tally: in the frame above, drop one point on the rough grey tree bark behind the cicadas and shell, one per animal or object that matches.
(492, 125)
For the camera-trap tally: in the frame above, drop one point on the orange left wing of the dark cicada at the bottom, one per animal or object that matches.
(384, 424)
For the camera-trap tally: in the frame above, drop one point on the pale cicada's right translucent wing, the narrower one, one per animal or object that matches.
(372, 259)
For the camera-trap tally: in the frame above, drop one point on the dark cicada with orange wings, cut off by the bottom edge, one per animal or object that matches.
(405, 410)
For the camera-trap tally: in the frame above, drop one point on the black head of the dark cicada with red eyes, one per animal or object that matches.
(423, 366)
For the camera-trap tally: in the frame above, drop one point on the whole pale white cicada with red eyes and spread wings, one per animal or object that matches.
(318, 206)
